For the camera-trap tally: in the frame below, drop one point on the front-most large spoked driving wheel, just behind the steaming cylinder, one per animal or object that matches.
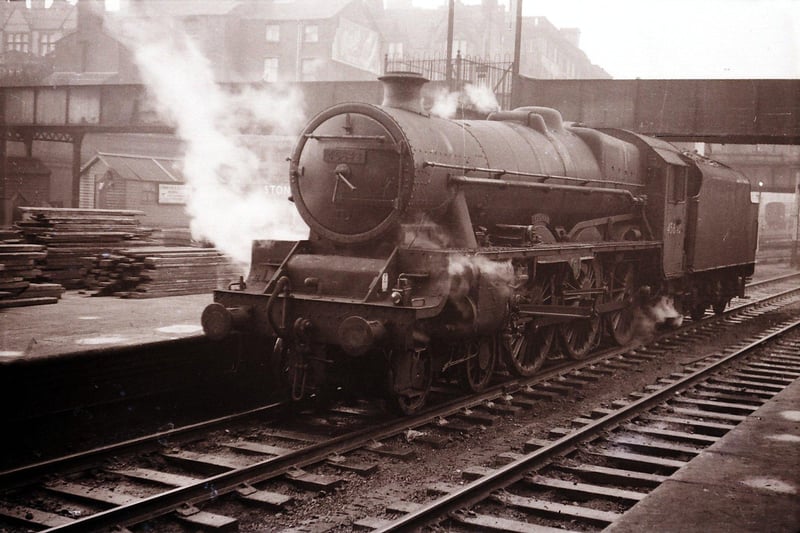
(526, 346)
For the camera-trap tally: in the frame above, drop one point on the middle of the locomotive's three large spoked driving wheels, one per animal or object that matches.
(580, 336)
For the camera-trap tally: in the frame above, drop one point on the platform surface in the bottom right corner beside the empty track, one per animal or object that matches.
(749, 481)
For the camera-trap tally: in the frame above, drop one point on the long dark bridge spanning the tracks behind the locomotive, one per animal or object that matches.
(719, 111)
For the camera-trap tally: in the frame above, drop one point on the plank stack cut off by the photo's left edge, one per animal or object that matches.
(18, 269)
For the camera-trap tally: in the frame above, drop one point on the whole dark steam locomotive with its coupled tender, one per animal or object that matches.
(438, 246)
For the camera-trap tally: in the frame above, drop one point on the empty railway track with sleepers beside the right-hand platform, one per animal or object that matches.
(612, 458)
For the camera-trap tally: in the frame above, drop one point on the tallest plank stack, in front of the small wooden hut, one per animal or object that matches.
(71, 234)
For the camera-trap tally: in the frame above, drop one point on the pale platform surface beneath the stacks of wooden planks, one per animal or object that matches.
(80, 323)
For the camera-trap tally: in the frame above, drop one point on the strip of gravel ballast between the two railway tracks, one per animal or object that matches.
(397, 480)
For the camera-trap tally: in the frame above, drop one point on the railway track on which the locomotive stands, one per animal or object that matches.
(173, 472)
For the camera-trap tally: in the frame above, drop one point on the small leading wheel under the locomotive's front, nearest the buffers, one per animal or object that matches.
(409, 381)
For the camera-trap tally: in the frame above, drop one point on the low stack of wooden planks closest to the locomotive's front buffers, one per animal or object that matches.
(149, 272)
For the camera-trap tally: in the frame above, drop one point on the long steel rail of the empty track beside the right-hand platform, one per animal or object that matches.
(478, 490)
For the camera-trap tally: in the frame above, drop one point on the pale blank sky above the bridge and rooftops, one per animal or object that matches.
(679, 39)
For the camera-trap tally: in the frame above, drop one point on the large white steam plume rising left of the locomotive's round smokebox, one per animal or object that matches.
(230, 201)
